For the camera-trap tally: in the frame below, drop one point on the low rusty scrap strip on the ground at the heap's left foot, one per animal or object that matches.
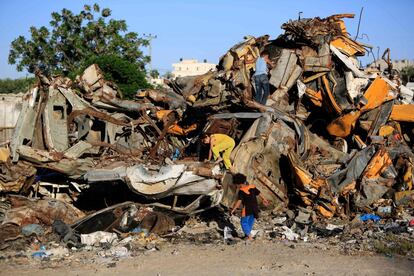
(24, 219)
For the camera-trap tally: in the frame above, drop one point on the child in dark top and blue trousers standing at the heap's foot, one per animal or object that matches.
(248, 197)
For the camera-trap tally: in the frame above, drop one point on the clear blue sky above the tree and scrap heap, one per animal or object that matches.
(206, 29)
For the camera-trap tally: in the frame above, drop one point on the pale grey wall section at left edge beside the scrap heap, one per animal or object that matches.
(10, 107)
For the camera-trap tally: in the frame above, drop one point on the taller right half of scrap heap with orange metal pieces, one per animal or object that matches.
(343, 135)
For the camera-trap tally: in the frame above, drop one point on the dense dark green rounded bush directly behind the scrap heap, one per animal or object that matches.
(128, 76)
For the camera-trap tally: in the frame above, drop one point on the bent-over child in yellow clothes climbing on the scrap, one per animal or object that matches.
(220, 143)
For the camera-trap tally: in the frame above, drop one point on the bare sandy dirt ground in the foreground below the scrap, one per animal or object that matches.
(255, 258)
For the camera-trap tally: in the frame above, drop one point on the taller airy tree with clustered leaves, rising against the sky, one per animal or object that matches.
(73, 38)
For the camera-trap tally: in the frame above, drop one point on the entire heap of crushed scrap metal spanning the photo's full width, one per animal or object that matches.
(331, 137)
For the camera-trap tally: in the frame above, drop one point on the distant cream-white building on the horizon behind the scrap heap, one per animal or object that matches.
(191, 67)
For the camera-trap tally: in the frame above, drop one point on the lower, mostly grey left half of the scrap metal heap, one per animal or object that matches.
(88, 134)
